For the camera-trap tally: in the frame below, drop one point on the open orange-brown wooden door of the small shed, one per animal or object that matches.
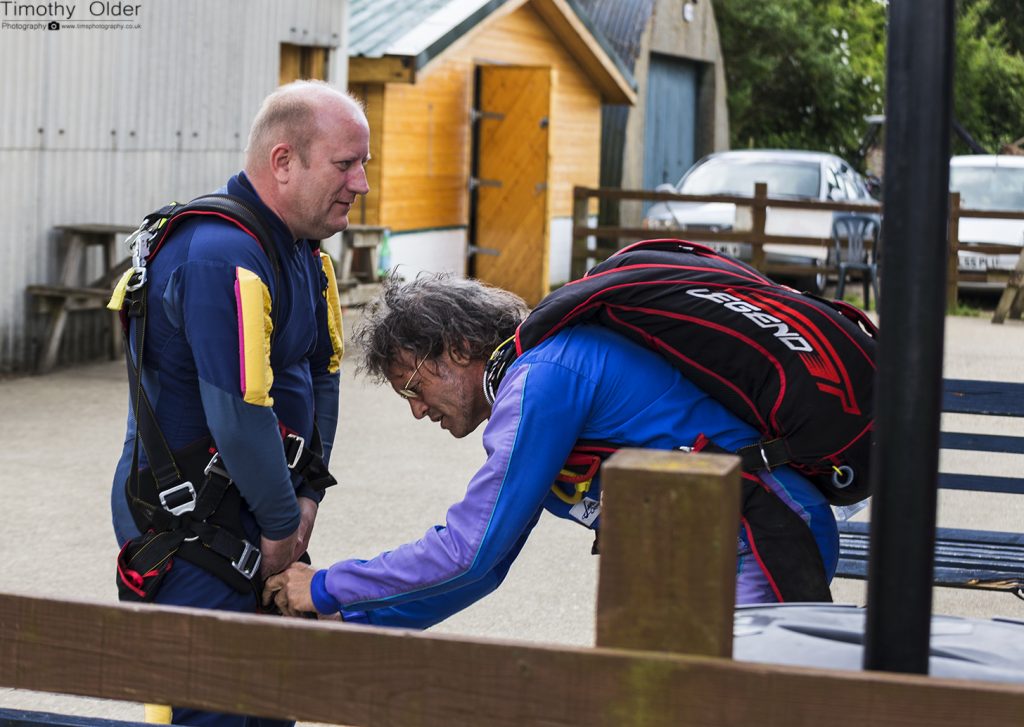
(511, 185)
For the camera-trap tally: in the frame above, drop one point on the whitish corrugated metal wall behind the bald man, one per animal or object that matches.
(101, 126)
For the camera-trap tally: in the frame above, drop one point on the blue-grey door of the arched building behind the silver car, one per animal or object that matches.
(671, 120)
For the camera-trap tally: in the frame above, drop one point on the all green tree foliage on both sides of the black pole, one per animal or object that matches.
(804, 74)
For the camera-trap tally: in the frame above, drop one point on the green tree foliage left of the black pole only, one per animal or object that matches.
(802, 74)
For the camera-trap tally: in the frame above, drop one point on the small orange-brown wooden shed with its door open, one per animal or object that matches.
(484, 115)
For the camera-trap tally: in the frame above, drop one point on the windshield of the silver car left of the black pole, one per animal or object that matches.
(722, 177)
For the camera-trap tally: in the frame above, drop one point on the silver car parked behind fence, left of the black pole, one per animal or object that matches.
(790, 175)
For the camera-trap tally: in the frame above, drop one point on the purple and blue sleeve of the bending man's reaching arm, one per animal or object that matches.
(537, 416)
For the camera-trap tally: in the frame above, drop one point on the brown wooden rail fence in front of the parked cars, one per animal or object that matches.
(610, 239)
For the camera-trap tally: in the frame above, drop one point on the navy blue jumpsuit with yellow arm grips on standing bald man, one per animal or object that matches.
(214, 366)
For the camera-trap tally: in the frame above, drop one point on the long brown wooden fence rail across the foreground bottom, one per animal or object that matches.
(340, 674)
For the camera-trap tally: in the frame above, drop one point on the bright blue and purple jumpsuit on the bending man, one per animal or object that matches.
(585, 383)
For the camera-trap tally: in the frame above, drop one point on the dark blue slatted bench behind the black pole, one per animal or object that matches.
(964, 559)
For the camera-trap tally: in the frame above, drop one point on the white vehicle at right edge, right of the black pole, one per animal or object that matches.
(989, 183)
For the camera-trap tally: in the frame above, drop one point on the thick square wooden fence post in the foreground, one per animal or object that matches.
(668, 572)
